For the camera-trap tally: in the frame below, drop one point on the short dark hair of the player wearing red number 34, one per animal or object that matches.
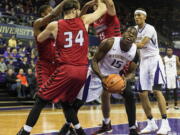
(70, 4)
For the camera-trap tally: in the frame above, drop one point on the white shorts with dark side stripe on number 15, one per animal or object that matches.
(92, 89)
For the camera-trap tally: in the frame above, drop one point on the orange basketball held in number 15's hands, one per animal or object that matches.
(115, 83)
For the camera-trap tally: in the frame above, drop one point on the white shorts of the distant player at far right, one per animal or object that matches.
(171, 81)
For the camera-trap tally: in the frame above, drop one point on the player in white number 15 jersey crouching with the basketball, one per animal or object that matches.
(92, 89)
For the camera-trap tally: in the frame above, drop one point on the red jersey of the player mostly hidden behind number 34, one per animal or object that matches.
(46, 50)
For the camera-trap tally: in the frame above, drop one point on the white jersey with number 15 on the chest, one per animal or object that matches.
(116, 59)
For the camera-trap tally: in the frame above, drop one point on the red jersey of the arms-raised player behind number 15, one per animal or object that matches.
(107, 26)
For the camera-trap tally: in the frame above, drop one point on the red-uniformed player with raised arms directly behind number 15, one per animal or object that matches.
(107, 26)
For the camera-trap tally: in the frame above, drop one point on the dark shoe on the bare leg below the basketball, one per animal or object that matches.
(105, 128)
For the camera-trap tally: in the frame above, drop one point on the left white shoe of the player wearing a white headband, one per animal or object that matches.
(151, 127)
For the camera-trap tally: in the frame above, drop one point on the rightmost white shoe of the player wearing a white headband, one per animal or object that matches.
(165, 128)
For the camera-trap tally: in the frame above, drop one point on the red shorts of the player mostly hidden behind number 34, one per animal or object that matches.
(44, 69)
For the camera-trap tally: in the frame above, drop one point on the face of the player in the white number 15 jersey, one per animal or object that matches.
(130, 35)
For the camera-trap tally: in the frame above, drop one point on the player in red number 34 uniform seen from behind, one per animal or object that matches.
(71, 37)
